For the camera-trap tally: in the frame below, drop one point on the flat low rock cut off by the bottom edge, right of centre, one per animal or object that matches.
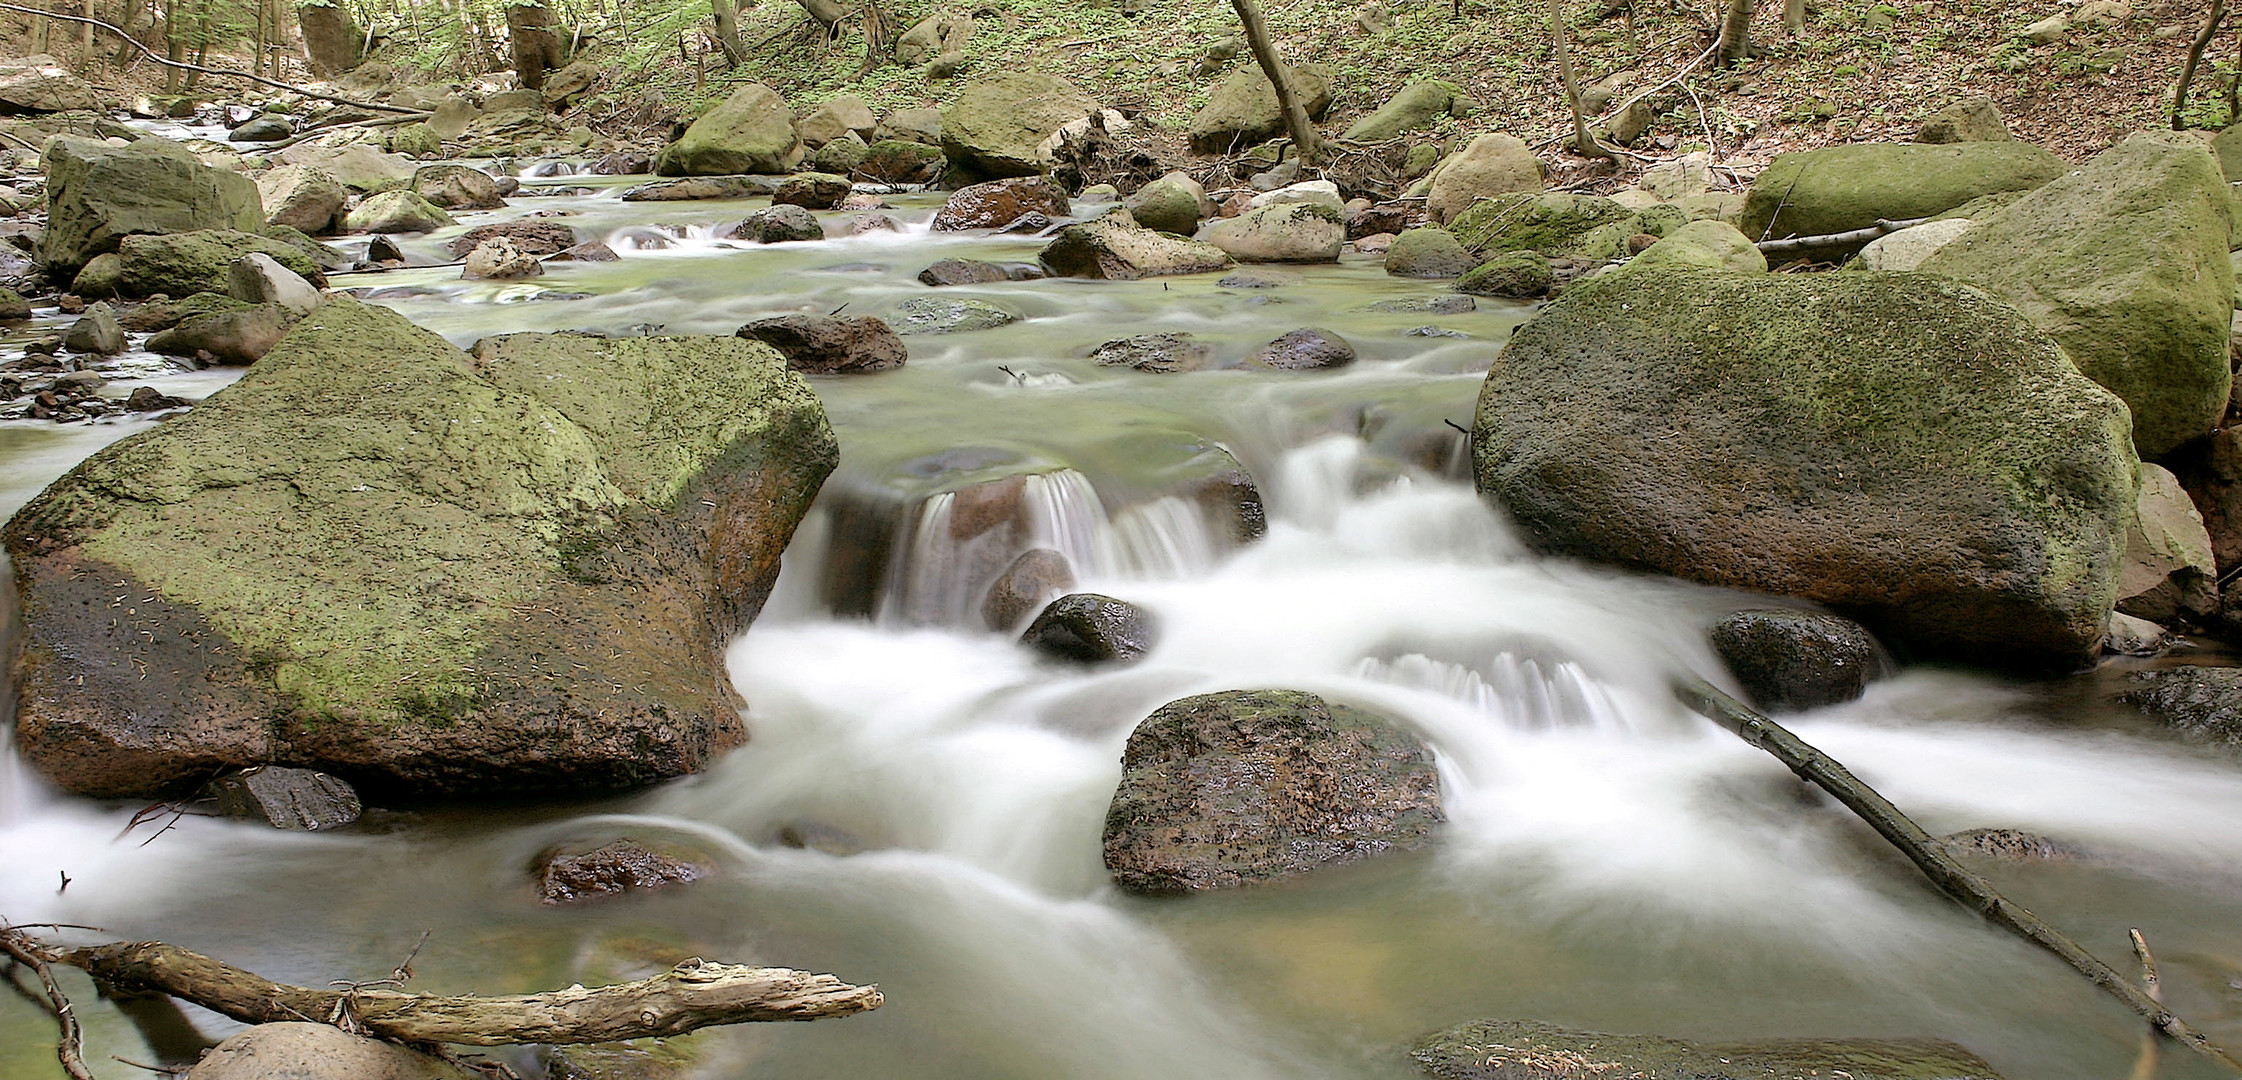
(1548, 1052)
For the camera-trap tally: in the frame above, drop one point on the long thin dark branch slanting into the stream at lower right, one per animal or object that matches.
(1931, 857)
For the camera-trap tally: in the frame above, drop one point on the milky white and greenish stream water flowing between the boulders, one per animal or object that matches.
(1611, 862)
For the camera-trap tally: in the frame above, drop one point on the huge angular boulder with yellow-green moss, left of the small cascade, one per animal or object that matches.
(416, 570)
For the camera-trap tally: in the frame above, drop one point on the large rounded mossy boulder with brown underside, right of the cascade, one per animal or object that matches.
(1898, 447)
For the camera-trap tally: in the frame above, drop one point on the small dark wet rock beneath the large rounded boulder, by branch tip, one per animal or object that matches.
(1790, 660)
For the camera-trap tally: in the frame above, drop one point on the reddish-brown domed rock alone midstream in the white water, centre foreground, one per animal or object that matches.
(1263, 785)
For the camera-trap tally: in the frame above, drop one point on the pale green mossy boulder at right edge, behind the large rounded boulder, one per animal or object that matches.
(2124, 263)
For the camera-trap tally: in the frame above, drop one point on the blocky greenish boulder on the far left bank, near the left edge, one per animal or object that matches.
(102, 194)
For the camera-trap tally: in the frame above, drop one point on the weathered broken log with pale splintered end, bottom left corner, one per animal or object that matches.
(689, 996)
